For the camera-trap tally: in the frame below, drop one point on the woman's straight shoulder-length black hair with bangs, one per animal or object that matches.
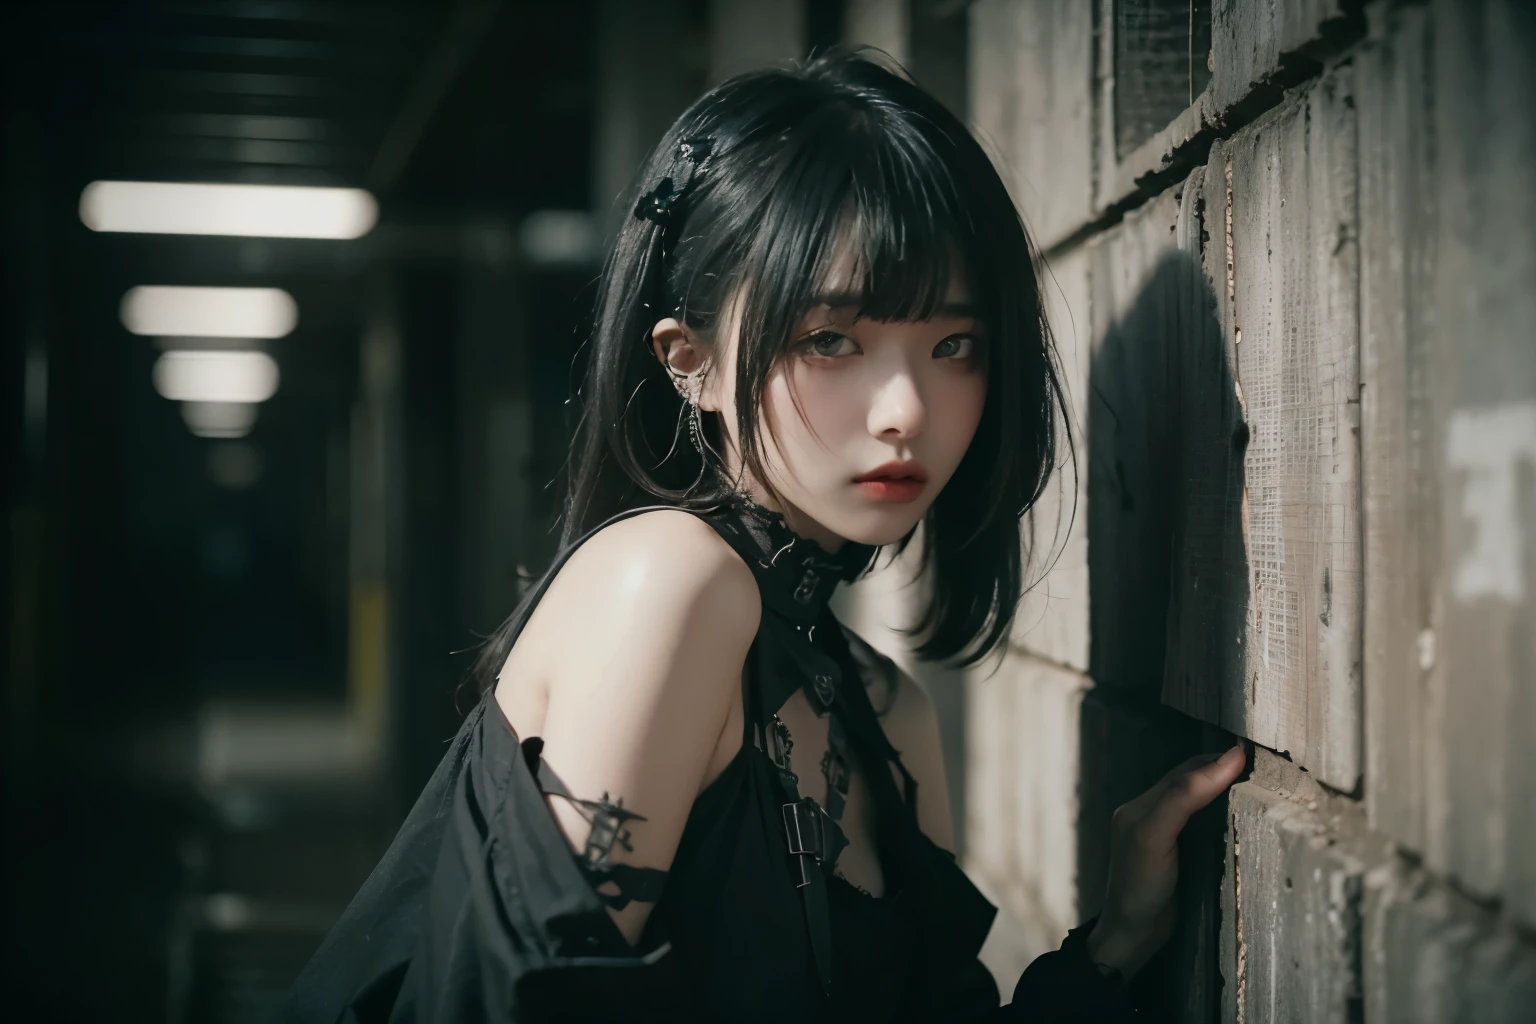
(835, 151)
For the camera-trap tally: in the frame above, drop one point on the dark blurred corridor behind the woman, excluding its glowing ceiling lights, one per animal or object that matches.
(231, 662)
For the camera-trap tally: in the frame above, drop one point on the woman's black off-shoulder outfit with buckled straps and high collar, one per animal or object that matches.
(480, 913)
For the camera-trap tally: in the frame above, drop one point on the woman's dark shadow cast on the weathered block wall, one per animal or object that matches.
(1168, 583)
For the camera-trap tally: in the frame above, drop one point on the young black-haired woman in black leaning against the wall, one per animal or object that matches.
(689, 793)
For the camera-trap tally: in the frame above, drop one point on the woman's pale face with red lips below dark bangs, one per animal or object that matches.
(864, 421)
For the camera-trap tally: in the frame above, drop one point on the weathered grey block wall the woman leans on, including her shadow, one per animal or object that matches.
(1296, 325)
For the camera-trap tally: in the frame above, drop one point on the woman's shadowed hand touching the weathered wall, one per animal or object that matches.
(1144, 860)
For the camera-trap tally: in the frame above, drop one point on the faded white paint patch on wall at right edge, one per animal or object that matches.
(1489, 444)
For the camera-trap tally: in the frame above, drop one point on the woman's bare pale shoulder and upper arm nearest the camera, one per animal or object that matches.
(644, 635)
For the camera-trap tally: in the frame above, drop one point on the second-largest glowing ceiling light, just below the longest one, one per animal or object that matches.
(210, 312)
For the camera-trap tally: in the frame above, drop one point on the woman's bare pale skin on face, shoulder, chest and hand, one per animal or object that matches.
(649, 709)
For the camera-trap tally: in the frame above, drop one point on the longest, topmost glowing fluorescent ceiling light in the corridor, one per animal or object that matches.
(265, 211)
